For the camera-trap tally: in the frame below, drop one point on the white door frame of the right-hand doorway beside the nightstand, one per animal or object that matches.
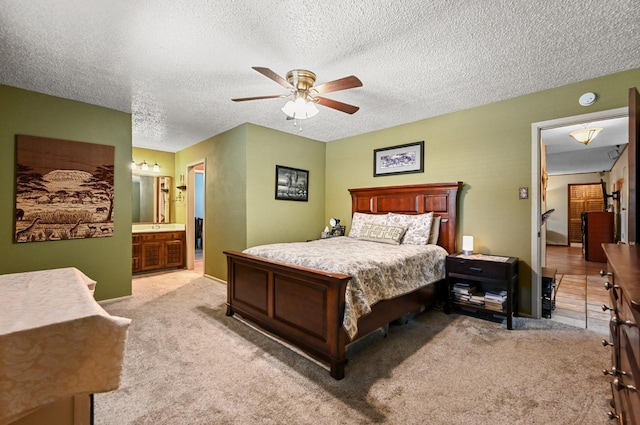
(536, 210)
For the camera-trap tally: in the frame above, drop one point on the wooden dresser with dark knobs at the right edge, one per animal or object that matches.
(623, 284)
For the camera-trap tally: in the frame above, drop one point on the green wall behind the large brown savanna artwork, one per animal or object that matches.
(106, 260)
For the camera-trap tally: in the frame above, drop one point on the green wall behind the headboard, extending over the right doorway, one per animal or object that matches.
(489, 149)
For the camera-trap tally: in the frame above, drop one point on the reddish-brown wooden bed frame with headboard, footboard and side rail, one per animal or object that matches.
(305, 306)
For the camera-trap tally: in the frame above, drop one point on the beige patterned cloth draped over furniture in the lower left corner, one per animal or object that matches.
(55, 340)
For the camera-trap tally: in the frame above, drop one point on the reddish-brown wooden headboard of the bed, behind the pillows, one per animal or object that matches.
(441, 198)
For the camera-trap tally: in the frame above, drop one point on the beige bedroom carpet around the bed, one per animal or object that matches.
(187, 363)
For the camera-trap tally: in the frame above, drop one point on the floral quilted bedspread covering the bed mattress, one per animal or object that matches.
(378, 271)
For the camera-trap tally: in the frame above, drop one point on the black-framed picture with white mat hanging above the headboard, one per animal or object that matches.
(401, 159)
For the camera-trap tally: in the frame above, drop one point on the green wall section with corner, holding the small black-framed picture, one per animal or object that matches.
(239, 190)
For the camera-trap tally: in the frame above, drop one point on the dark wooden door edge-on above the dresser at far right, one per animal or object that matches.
(634, 133)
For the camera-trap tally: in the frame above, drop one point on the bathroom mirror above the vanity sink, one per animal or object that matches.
(151, 199)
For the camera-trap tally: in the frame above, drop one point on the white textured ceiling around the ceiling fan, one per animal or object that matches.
(175, 65)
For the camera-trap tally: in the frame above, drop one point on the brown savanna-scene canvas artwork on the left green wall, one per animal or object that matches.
(64, 190)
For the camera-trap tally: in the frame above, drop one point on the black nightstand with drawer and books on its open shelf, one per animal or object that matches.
(472, 279)
